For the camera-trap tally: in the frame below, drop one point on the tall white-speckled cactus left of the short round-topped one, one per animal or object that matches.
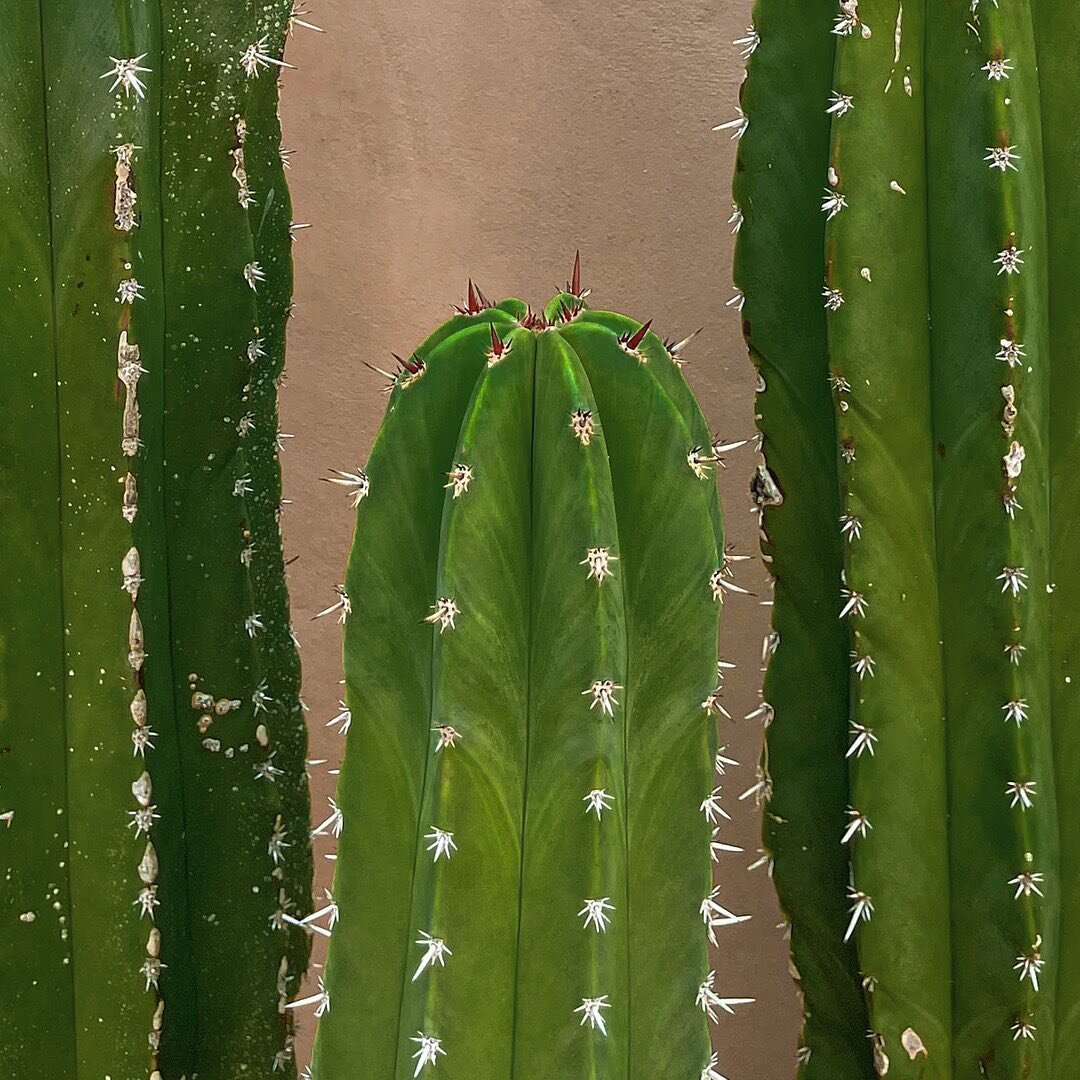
(146, 272)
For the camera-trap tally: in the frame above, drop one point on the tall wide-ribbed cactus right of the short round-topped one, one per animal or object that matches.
(907, 207)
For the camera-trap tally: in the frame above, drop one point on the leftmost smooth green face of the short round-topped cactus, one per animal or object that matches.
(393, 574)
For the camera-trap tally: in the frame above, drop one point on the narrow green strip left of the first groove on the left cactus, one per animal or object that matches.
(34, 830)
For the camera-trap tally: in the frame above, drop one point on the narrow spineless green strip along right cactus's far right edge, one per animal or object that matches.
(1058, 35)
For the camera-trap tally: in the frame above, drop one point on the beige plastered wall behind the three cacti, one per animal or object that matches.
(441, 140)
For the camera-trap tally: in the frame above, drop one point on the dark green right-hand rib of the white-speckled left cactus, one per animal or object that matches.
(242, 768)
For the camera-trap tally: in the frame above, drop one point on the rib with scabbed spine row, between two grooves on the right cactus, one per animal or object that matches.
(992, 409)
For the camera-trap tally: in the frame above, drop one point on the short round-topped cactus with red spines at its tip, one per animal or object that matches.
(528, 800)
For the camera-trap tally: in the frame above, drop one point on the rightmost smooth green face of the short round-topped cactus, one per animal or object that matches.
(671, 741)
